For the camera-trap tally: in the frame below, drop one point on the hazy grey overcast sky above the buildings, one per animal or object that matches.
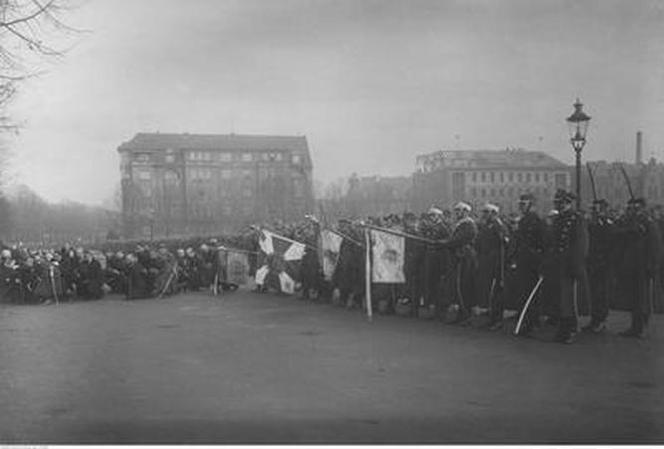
(370, 83)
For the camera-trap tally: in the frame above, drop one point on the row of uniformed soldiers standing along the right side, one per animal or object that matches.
(562, 265)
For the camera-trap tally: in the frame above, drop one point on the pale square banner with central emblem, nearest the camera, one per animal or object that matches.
(387, 257)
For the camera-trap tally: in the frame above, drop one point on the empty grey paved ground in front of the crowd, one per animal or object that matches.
(264, 368)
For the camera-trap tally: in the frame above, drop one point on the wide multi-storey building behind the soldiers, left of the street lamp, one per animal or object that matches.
(480, 176)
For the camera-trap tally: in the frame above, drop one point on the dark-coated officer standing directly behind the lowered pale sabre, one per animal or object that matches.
(529, 236)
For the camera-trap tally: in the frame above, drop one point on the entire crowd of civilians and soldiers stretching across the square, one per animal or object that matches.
(459, 264)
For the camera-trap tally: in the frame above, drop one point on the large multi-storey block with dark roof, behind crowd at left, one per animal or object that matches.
(175, 184)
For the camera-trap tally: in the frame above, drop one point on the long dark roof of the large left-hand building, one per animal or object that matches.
(214, 142)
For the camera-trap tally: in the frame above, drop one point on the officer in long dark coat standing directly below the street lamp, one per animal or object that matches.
(569, 252)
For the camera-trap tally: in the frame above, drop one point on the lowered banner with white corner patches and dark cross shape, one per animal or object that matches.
(279, 262)
